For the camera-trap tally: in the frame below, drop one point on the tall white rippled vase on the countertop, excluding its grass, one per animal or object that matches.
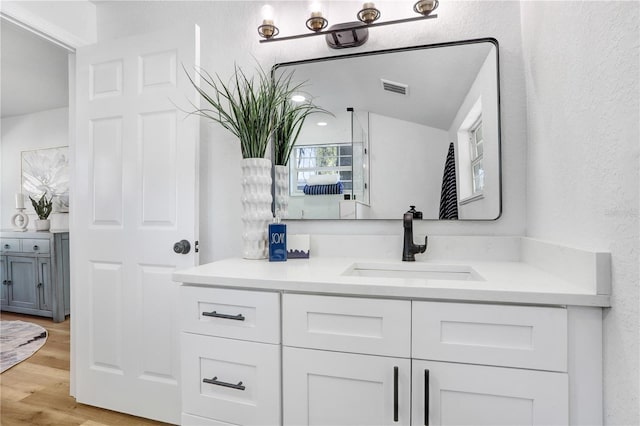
(256, 207)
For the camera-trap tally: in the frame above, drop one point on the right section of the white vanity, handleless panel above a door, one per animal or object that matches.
(461, 352)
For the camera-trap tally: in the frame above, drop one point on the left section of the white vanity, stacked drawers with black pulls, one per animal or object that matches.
(230, 356)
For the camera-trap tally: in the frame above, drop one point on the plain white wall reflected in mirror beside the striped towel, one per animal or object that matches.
(418, 154)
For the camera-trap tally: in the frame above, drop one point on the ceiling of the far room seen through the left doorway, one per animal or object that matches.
(33, 72)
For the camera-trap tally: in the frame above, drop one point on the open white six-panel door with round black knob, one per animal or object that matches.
(135, 196)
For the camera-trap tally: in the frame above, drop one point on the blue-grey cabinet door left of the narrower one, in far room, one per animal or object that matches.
(23, 278)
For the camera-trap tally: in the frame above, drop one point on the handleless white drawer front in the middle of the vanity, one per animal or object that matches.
(348, 324)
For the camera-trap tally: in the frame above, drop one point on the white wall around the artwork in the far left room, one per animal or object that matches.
(46, 129)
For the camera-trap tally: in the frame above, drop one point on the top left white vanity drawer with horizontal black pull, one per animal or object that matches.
(237, 314)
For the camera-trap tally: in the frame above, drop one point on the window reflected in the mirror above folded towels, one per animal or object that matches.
(309, 160)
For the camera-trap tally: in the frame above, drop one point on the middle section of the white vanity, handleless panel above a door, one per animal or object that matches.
(346, 361)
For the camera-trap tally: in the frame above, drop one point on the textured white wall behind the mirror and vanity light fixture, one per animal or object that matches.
(229, 35)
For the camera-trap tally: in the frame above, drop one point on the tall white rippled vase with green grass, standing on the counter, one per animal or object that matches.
(248, 108)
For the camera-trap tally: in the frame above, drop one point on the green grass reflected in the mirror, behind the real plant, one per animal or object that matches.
(291, 117)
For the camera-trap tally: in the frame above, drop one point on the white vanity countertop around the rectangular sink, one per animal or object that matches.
(503, 281)
